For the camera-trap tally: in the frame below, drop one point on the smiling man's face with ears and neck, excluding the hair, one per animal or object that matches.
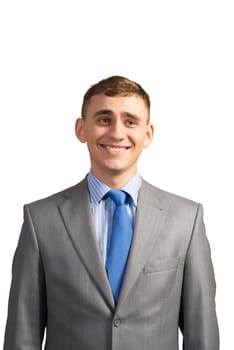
(116, 130)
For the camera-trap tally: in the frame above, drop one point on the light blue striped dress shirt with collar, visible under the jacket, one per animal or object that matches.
(103, 209)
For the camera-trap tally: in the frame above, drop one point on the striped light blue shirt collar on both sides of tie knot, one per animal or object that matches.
(98, 189)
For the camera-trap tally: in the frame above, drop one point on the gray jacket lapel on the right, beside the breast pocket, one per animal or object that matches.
(151, 210)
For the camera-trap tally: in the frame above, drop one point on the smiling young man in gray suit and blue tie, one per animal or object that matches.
(70, 275)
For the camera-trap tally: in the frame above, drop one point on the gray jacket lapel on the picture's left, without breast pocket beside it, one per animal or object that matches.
(77, 217)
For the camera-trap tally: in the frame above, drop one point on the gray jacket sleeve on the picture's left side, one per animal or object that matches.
(26, 319)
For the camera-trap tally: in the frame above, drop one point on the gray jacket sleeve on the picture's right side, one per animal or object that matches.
(198, 321)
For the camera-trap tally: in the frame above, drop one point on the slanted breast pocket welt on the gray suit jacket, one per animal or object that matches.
(161, 265)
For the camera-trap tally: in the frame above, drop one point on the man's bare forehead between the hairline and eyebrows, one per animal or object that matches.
(119, 104)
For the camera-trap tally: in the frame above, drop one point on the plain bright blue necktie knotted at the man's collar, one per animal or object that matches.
(120, 242)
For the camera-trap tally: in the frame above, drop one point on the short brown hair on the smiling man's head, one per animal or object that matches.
(113, 86)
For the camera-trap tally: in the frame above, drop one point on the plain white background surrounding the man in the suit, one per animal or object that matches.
(181, 52)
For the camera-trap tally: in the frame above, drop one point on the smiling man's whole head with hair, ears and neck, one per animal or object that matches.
(116, 126)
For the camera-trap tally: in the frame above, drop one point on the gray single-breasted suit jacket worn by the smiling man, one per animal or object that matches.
(59, 281)
